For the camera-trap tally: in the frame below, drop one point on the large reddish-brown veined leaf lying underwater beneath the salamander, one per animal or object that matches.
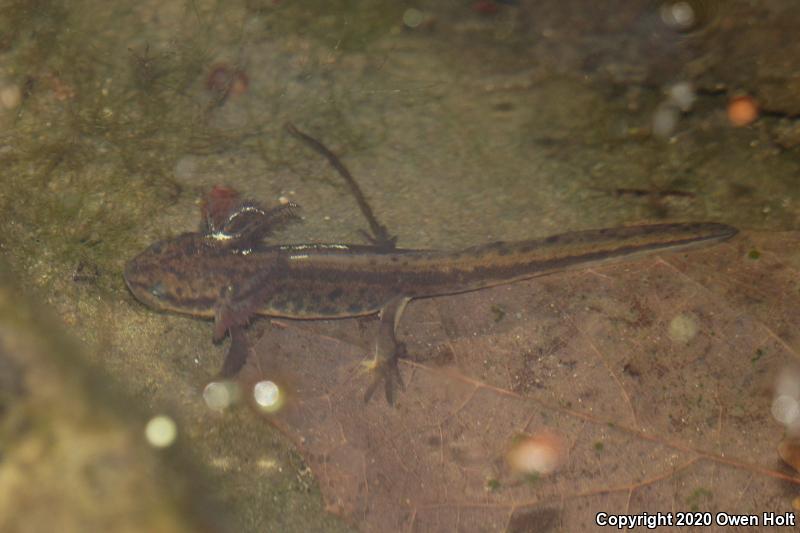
(644, 387)
